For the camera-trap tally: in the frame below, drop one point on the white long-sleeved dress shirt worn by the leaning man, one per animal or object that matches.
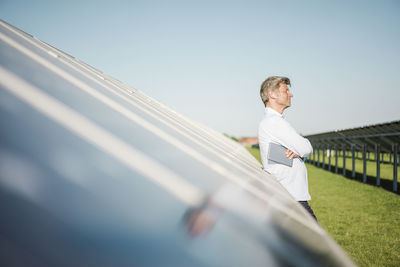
(275, 129)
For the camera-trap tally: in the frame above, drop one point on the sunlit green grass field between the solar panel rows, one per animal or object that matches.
(363, 219)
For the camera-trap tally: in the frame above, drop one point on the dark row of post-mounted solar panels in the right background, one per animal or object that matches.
(377, 139)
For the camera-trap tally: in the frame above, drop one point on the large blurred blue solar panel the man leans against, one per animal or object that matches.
(93, 172)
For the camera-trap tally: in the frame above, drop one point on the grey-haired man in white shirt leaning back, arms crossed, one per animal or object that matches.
(276, 97)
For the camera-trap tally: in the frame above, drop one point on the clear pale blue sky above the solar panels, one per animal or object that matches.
(207, 59)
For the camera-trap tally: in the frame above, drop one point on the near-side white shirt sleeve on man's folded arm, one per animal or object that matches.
(289, 138)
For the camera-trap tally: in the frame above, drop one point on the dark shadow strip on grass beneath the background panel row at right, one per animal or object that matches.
(371, 180)
